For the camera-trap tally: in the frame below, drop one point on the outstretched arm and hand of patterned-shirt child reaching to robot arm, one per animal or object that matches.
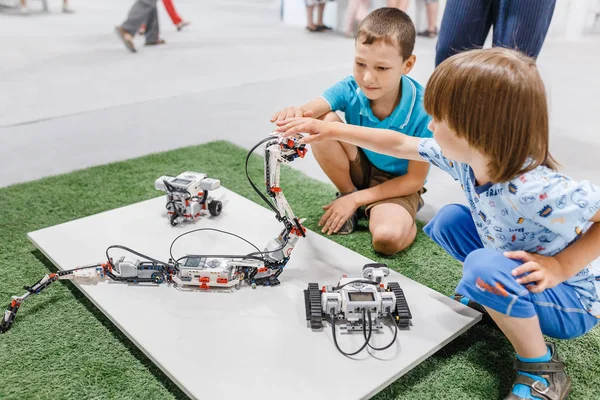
(382, 141)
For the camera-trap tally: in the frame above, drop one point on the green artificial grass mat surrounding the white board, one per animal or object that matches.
(61, 346)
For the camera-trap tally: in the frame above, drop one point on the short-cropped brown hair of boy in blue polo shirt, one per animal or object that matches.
(390, 25)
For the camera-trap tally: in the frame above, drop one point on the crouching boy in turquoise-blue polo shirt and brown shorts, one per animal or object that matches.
(378, 95)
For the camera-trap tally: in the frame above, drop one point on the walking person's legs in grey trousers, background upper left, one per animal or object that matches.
(142, 11)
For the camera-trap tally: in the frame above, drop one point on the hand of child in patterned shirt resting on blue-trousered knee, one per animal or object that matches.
(543, 272)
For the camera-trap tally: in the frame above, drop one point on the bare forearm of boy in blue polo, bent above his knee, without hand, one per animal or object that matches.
(404, 185)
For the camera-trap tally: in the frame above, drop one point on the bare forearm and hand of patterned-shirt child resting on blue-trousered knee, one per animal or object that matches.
(548, 272)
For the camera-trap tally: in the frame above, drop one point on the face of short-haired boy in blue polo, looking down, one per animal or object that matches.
(378, 68)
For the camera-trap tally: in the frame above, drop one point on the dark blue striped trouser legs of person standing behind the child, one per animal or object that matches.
(520, 25)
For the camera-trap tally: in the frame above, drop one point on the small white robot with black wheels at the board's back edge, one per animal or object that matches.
(187, 196)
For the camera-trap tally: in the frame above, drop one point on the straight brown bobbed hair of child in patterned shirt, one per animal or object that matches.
(495, 99)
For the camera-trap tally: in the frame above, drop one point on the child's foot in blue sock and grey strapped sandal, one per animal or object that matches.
(541, 378)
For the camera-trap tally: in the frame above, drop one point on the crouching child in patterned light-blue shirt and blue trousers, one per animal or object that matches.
(529, 240)
